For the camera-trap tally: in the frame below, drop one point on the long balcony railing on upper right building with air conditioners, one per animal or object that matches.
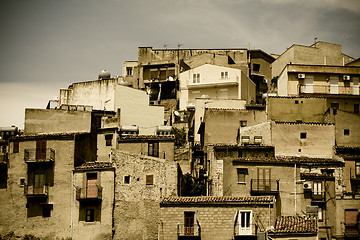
(327, 89)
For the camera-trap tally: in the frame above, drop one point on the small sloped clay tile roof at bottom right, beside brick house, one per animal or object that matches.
(295, 224)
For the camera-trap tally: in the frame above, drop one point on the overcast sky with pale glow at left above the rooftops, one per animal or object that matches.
(46, 45)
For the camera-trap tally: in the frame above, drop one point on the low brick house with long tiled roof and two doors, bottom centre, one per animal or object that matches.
(216, 217)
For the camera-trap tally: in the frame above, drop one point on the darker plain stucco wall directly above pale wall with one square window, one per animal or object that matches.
(306, 109)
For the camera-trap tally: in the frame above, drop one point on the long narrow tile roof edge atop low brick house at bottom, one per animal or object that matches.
(227, 199)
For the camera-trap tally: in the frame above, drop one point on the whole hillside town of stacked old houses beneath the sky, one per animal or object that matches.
(211, 144)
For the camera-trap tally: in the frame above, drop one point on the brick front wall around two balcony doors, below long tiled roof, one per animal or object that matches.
(216, 221)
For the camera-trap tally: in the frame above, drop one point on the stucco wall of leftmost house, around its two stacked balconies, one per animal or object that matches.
(13, 209)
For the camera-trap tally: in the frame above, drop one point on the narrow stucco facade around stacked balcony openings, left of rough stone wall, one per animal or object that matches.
(97, 230)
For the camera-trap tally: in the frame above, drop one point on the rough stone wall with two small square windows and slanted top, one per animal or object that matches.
(137, 204)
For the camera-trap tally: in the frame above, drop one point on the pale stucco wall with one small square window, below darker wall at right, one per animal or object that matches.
(319, 141)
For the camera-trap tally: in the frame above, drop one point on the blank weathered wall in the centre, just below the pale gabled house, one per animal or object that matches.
(230, 123)
